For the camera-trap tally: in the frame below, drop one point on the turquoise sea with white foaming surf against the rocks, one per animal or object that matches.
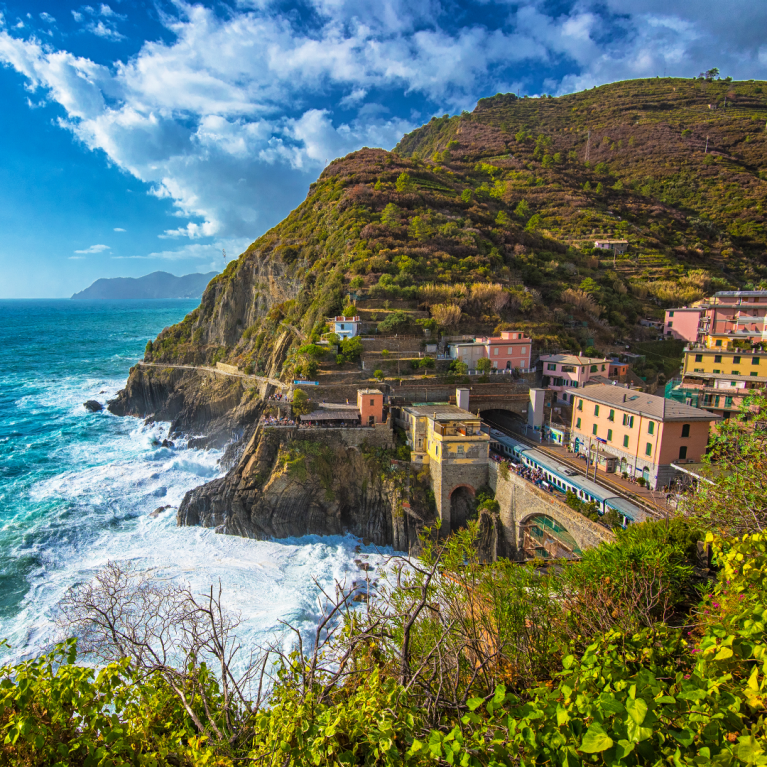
(77, 488)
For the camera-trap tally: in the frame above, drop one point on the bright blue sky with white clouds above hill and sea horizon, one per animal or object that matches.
(145, 135)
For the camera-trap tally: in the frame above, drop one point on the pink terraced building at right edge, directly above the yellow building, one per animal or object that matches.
(732, 311)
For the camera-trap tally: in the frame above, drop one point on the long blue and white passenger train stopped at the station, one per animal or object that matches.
(562, 478)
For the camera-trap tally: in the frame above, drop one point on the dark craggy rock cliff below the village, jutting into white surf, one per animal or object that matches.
(284, 486)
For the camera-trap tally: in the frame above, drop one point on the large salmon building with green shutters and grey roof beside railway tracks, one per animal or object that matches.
(639, 434)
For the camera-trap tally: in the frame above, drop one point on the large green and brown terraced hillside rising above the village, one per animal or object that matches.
(487, 220)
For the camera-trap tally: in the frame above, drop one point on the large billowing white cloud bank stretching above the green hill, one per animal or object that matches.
(232, 115)
